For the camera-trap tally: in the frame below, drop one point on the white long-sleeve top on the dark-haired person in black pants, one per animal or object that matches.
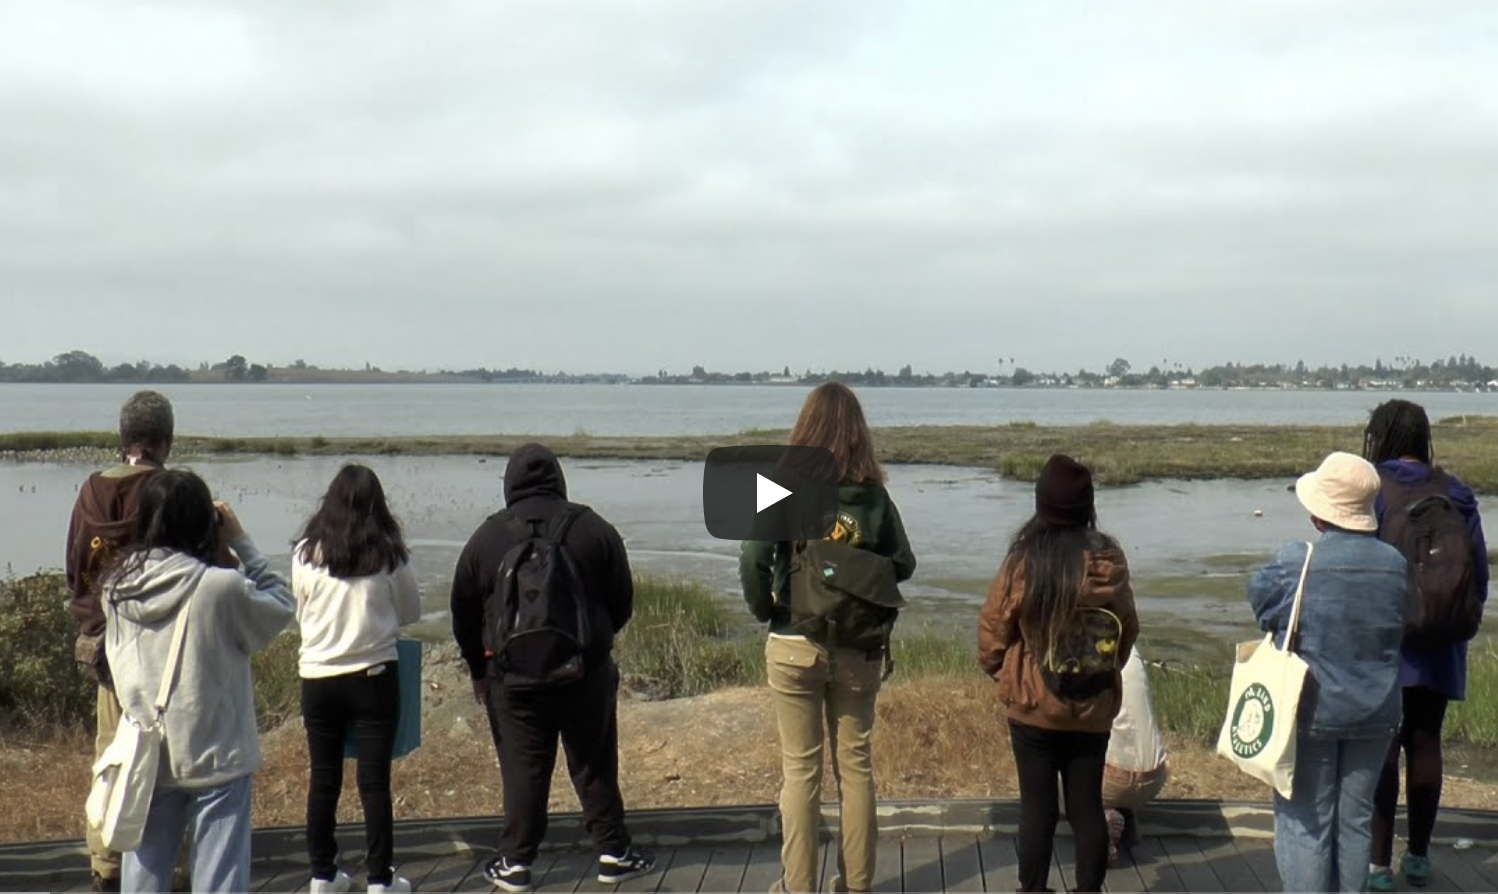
(350, 625)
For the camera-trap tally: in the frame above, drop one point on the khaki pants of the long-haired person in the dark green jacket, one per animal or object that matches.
(826, 691)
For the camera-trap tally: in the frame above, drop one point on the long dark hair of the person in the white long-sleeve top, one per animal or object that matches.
(354, 534)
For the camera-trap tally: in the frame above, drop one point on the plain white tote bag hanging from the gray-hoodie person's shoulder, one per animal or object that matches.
(125, 775)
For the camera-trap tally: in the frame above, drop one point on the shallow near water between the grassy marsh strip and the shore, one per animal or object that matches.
(1181, 537)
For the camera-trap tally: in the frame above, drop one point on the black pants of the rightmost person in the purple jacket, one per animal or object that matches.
(1421, 742)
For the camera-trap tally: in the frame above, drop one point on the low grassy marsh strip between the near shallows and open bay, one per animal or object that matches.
(1120, 454)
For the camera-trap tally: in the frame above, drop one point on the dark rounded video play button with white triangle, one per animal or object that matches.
(771, 493)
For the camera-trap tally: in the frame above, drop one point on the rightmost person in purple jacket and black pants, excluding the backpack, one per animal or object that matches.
(1431, 675)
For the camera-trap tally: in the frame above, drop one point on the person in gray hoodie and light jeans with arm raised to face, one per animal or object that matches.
(212, 745)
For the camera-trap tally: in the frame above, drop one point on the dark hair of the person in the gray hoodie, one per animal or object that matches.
(176, 513)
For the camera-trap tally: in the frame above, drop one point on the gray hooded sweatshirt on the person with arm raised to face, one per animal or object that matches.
(212, 736)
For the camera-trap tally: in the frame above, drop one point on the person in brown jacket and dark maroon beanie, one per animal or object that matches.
(1055, 633)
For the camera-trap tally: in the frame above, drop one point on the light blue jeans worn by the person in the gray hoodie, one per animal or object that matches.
(219, 823)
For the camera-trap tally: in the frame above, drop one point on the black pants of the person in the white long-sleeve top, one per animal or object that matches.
(369, 705)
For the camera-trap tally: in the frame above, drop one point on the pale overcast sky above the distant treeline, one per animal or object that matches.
(627, 185)
